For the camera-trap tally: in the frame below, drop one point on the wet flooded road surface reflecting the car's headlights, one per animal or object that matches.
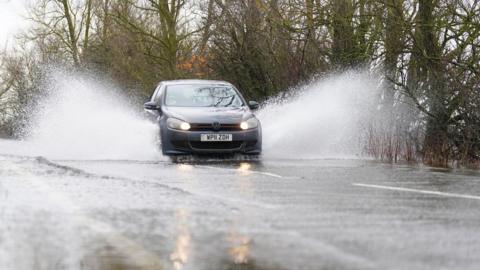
(267, 214)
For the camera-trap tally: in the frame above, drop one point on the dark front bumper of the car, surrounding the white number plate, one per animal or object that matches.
(176, 142)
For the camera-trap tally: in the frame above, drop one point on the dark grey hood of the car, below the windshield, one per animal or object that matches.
(209, 114)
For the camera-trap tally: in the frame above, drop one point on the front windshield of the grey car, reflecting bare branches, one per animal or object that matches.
(185, 95)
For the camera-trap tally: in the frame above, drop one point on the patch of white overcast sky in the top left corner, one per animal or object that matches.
(12, 20)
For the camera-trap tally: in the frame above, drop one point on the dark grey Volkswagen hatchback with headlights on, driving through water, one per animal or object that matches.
(204, 117)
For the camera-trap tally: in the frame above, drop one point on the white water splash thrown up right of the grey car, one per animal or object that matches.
(324, 119)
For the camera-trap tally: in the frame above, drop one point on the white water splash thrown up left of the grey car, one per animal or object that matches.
(83, 118)
